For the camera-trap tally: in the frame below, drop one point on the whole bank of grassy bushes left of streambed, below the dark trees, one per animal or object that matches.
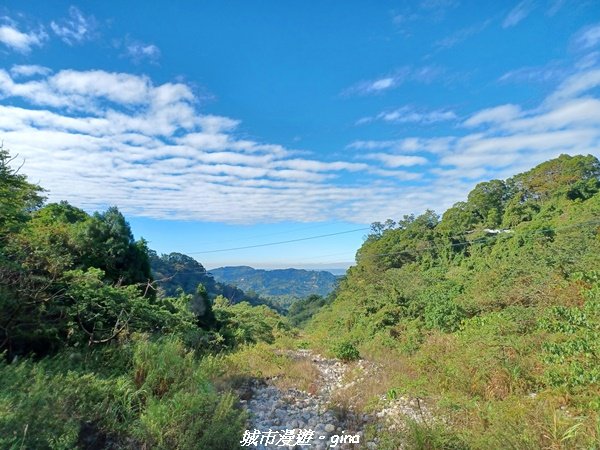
(160, 398)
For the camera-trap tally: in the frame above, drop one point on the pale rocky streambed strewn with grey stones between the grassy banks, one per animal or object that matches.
(292, 418)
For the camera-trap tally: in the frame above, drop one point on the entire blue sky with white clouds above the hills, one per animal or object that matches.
(218, 127)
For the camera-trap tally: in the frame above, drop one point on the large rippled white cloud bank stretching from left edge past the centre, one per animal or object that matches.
(97, 138)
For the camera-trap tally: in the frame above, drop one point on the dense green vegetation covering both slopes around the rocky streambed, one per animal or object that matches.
(490, 315)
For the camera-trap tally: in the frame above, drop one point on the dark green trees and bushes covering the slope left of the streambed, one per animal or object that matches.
(93, 353)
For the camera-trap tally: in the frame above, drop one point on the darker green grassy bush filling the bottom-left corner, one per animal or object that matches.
(43, 406)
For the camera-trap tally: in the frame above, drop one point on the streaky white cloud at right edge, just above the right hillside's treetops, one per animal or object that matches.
(515, 138)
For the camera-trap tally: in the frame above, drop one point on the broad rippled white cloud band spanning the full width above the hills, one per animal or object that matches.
(97, 138)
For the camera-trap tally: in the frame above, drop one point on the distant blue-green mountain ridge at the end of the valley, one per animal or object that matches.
(277, 283)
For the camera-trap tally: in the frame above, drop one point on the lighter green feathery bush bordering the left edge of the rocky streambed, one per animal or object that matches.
(183, 410)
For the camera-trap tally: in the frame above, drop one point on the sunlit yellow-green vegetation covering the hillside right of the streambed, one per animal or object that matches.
(490, 313)
